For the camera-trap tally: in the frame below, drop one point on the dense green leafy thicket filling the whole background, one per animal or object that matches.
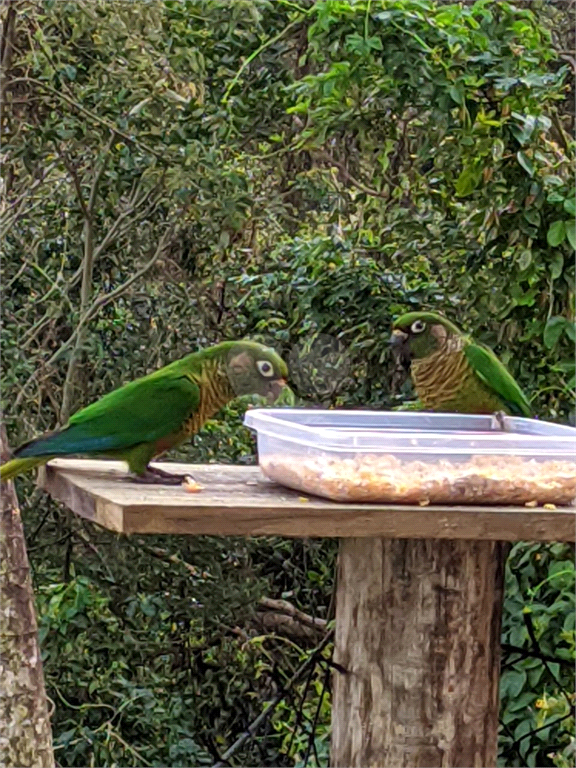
(176, 173)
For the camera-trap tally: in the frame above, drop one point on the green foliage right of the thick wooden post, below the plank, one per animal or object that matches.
(538, 638)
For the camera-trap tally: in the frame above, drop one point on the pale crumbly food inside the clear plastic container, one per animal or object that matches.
(482, 479)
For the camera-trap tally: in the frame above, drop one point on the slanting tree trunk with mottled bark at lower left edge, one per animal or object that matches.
(25, 735)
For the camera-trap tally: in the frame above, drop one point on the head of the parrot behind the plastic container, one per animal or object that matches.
(419, 334)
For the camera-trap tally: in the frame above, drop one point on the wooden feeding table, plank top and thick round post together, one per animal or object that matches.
(419, 596)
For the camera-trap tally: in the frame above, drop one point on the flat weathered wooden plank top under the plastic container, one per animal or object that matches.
(239, 501)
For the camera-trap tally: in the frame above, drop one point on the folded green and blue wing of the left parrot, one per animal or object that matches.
(140, 412)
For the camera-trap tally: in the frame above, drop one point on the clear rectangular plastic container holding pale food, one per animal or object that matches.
(416, 457)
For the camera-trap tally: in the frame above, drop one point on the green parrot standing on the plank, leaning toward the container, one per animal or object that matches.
(147, 417)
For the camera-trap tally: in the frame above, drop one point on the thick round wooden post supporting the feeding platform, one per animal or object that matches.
(418, 631)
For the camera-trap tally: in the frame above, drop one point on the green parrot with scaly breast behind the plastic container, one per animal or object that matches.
(453, 373)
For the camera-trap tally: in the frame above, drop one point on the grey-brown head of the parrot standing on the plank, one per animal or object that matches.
(254, 369)
